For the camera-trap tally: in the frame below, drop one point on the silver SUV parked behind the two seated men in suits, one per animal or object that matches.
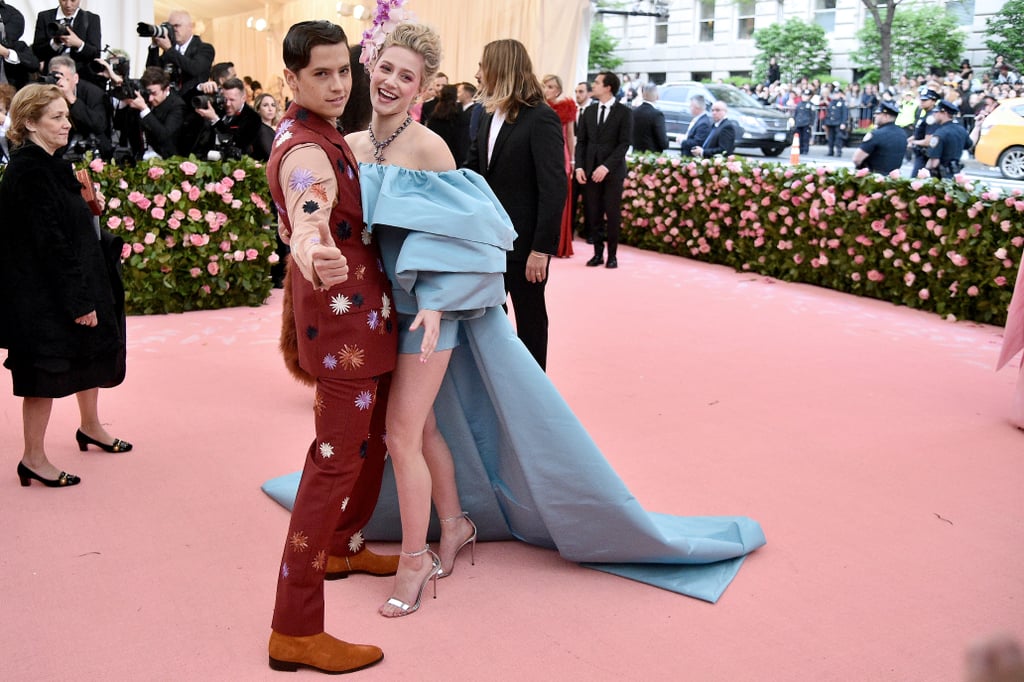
(757, 125)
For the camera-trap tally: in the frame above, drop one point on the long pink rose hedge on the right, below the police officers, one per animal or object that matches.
(948, 247)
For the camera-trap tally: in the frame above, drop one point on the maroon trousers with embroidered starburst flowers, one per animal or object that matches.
(337, 495)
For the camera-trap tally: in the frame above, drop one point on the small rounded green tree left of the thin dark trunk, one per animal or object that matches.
(800, 50)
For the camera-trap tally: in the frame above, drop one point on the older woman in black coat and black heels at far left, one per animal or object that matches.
(61, 297)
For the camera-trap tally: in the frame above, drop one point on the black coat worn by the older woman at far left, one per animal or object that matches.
(54, 269)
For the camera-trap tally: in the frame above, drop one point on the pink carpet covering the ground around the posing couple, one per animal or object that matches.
(870, 441)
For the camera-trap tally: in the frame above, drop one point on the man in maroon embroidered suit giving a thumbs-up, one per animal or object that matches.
(347, 340)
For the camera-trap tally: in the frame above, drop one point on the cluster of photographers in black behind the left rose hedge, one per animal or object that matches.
(182, 102)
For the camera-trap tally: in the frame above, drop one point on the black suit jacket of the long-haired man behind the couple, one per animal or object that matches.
(528, 175)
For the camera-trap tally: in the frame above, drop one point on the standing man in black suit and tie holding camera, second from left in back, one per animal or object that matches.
(77, 35)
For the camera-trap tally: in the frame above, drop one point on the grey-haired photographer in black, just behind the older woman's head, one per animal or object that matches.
(88, 109)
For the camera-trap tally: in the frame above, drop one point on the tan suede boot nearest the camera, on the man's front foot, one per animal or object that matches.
(322, 653)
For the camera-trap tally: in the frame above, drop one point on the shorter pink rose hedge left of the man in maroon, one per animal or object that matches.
(198, 235)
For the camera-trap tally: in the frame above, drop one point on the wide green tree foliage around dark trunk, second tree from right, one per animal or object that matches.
(920, 39)
